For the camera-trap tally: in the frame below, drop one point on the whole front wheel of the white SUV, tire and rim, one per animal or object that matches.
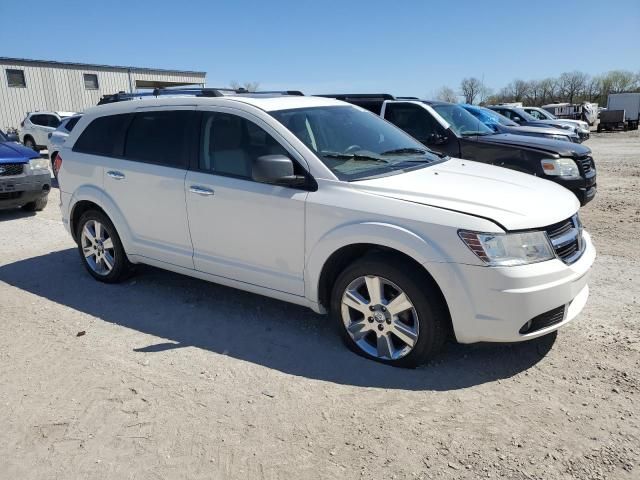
(388, 311)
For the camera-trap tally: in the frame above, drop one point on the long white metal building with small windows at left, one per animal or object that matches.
(31, 85)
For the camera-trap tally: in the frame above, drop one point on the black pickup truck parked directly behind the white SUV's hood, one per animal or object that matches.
(449, 129)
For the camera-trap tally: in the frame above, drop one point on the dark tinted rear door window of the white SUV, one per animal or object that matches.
(158, 137)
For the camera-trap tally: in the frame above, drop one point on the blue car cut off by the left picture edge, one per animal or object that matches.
(25, 180)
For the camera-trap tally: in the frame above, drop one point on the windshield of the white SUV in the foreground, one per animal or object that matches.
(354, 143)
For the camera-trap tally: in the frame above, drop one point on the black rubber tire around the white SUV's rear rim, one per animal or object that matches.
(121, 266)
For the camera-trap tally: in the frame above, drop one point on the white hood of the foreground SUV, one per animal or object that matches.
(512, 199)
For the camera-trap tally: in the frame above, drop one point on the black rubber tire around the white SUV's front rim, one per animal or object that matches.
(431, 310)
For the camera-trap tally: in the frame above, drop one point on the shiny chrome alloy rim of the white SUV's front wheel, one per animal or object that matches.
(379, 317)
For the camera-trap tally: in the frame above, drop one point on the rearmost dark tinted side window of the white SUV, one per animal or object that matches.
(103, 136)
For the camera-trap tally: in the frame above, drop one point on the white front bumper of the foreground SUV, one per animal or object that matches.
(493, 304)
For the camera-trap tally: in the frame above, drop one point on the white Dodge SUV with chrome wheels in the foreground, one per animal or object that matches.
(323, 204)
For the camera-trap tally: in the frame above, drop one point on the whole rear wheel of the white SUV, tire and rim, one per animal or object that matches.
(101, 249)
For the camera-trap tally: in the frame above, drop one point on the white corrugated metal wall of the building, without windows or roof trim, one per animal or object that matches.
(61, 88)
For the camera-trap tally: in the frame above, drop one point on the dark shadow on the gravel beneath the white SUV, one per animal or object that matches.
(188, 312)
